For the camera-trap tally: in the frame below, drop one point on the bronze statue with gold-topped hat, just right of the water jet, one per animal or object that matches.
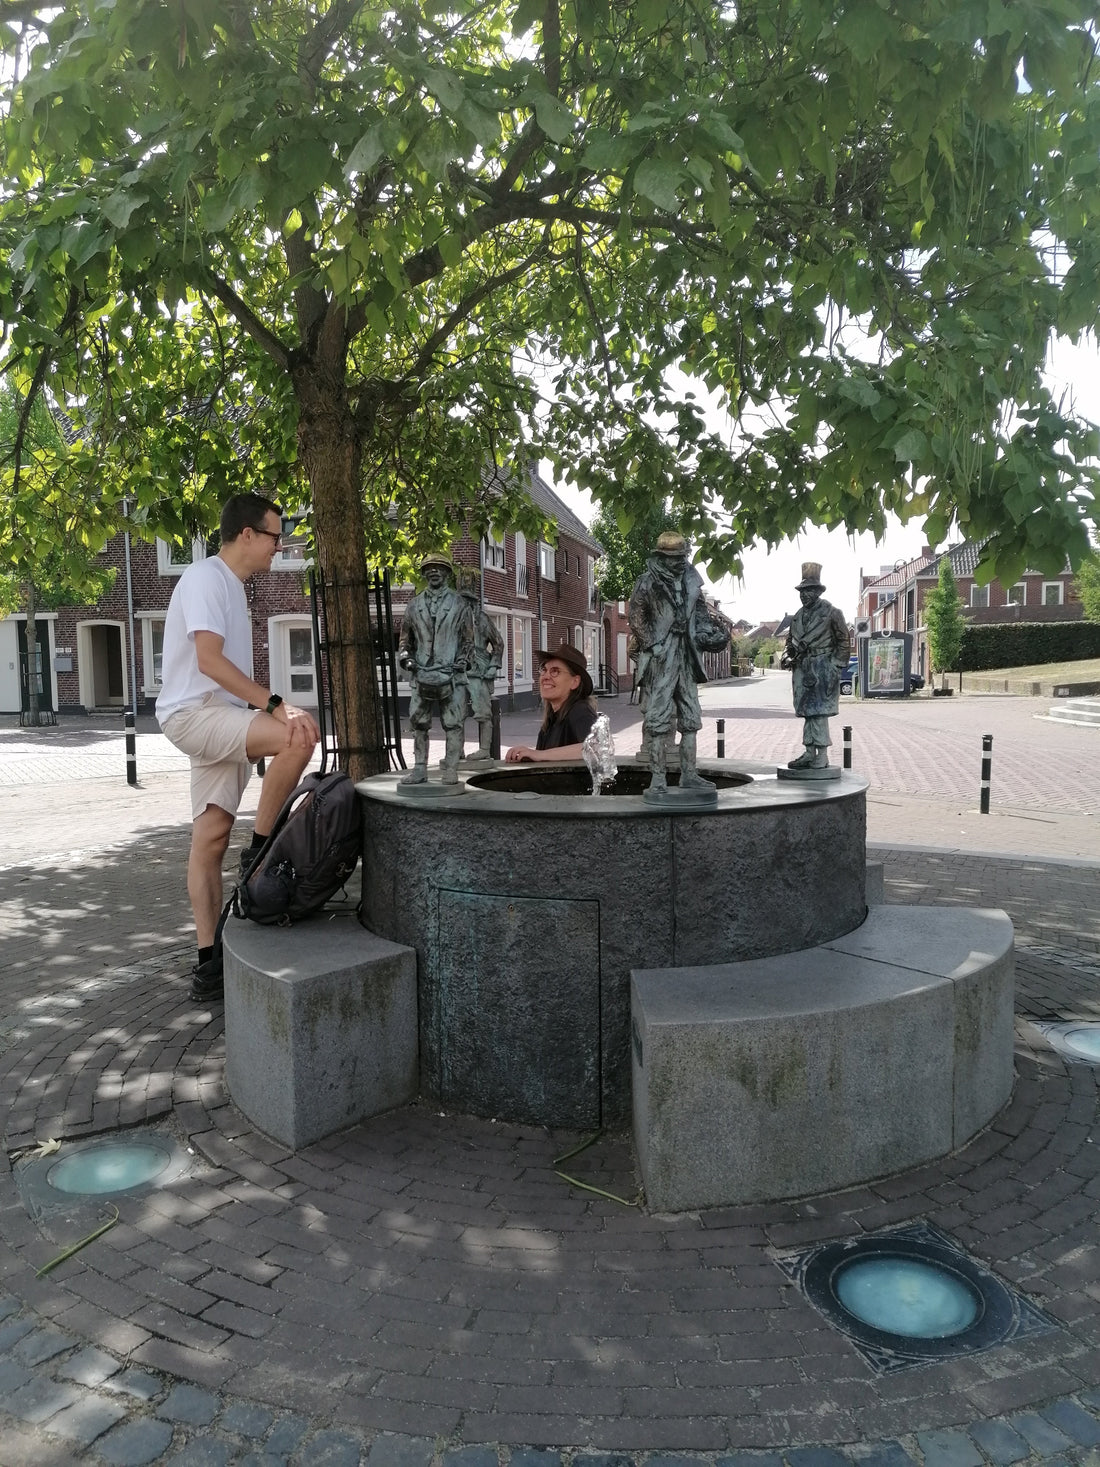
(672, 627)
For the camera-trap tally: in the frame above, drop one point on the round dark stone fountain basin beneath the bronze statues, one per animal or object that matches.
(530, 901)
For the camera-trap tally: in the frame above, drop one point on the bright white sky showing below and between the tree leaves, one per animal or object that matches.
(768, 590)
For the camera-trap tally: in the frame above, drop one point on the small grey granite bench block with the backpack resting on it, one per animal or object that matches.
(320, 1026)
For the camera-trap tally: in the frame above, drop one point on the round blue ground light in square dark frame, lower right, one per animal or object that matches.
(907, 1298)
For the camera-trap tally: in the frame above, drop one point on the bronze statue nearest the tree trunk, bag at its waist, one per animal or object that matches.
(435, 649)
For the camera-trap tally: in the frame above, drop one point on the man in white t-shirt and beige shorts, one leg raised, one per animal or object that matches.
(205, 711)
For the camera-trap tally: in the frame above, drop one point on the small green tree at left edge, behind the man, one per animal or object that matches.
(52, 524)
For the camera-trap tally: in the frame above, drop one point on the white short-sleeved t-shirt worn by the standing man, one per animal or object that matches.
(208, 599)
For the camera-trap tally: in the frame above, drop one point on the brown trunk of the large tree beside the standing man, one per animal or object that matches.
(331, 454)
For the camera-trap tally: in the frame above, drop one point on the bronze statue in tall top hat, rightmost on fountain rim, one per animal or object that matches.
(818, 651)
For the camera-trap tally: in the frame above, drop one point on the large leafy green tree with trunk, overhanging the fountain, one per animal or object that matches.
(372, 256)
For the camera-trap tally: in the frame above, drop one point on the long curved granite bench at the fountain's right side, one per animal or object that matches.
(818, 1070)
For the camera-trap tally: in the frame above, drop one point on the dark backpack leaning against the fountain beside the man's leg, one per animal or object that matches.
(313, 850)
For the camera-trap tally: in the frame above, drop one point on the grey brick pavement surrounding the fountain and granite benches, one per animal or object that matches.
(428, 1289)
